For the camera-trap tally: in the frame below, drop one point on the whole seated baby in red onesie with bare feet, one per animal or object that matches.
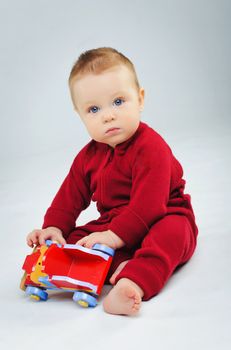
(131, 173)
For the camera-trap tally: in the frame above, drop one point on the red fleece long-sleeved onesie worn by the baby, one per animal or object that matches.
(139, 193)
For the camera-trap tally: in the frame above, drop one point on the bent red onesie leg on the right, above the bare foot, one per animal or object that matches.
(169, 243)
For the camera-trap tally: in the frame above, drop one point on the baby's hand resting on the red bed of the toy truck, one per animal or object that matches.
(108, 238)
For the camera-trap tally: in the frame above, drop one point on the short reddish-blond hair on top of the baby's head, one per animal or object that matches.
(98, 60)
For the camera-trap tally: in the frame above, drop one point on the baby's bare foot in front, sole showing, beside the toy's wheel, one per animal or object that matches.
(124, 299)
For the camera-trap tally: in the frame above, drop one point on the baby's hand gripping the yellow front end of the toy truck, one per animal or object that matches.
(37, 237)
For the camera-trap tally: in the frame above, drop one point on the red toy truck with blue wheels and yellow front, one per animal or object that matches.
(68, 267)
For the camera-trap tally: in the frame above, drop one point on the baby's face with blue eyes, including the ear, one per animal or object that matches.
(108, 100)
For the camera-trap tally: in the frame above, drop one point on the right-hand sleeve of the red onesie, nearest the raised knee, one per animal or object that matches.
(151, 177)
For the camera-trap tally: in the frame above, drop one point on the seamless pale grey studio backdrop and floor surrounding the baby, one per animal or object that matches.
(181, 51)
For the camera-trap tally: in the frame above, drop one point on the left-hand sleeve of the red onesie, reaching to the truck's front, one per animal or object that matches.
(72, 197)
